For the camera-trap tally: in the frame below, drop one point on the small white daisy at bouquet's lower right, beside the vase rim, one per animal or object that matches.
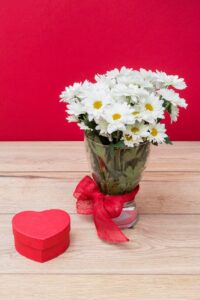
(157, 133)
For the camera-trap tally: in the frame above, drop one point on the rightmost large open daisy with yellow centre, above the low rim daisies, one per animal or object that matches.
(151, 108)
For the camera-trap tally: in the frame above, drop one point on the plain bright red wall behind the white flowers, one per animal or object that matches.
(47, 44)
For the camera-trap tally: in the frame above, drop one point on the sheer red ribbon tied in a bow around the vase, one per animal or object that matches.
(90, 201)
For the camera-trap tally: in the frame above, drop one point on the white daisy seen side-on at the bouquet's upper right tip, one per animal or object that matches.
(170, 80)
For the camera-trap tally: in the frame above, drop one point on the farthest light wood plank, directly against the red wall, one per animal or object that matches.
(71, 156)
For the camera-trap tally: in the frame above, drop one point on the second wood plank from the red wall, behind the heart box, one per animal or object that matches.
(161, 192)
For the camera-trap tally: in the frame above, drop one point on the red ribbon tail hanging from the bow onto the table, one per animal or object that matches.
(107, 230)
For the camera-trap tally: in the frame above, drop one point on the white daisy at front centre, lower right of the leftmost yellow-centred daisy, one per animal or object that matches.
(117, 115)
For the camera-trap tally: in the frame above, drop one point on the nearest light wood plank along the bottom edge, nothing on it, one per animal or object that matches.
(99, 287)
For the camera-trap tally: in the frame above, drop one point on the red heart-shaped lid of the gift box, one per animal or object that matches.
(41, 230)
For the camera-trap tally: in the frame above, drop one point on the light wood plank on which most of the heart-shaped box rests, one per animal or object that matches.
(160, 244)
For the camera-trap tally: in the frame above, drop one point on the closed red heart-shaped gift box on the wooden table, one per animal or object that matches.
(43, 235)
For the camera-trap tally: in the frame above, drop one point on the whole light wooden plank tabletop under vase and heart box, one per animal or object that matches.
(162, 261)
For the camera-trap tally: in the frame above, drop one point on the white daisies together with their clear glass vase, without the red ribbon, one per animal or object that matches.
(121, 114)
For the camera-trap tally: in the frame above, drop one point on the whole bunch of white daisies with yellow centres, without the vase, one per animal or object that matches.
(125, 106)
